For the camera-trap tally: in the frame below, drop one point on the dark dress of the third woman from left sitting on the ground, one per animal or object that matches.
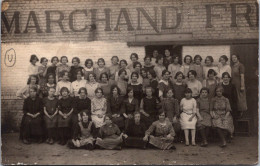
(135, 133)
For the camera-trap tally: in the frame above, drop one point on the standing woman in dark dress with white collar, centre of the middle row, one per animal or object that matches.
(137, 87)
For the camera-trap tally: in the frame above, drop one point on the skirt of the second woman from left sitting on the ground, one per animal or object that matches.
(110, 142)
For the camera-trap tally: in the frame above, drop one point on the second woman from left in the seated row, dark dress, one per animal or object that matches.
(50, 104)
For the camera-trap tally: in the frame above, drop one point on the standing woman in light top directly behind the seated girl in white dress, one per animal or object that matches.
(194, 84)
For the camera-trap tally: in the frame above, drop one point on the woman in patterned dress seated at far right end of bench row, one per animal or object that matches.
(221, 118)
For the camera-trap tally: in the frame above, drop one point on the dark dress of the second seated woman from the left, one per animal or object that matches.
(51, 107)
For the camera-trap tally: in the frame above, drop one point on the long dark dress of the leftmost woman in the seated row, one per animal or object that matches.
(32, 126)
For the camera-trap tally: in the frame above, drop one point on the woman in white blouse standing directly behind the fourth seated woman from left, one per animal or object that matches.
(79, 83)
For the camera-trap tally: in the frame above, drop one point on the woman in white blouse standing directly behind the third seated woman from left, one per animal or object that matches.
(64, 82)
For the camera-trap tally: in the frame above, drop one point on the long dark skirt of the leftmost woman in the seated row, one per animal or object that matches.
(31, 127)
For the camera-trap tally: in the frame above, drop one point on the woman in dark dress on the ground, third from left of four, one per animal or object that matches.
(135, 132)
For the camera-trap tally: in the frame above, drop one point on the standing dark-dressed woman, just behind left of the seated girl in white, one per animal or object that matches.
(179, 87)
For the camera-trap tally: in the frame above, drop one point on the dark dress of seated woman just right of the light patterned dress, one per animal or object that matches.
(116, 106)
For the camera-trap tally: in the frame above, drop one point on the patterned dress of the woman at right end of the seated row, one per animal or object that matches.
(220, 106)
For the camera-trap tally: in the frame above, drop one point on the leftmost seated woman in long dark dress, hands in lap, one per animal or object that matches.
(31, 126)
